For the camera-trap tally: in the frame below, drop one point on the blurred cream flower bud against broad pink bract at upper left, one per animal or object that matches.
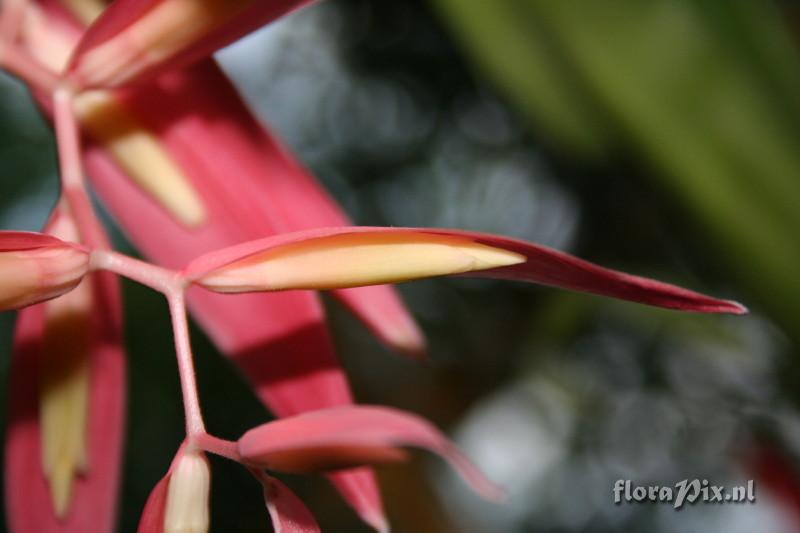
(140, 155)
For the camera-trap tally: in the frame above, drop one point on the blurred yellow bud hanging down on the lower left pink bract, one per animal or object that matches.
(64, 393)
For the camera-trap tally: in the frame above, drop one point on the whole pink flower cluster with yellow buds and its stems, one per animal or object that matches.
(213, 198)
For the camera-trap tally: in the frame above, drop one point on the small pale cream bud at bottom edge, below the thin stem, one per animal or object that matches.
(187, 495)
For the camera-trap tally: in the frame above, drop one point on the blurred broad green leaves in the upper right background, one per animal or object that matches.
(707, 92)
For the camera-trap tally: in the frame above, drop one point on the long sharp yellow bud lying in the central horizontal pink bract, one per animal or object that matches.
(357, 259)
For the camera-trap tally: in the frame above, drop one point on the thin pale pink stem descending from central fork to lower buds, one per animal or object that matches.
(191, 403)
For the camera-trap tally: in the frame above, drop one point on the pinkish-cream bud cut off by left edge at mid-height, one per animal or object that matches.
(31, 276)
